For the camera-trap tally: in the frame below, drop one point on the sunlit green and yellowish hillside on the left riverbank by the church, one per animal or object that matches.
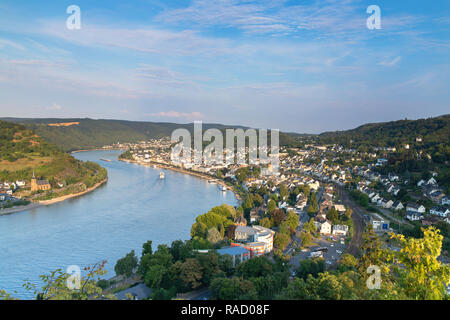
(22, 151)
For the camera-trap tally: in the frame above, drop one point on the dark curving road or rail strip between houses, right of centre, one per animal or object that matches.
(358, 222)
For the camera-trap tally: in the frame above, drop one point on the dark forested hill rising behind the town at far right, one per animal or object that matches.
(432, 131)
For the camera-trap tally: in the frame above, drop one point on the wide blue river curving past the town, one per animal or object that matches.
(133, 207)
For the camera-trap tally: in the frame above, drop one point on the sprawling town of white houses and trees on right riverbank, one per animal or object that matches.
(317, 204)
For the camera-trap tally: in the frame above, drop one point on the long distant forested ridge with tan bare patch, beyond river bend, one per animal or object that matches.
(77, 134)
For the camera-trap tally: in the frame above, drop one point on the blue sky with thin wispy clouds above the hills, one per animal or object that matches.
(295, 65)
